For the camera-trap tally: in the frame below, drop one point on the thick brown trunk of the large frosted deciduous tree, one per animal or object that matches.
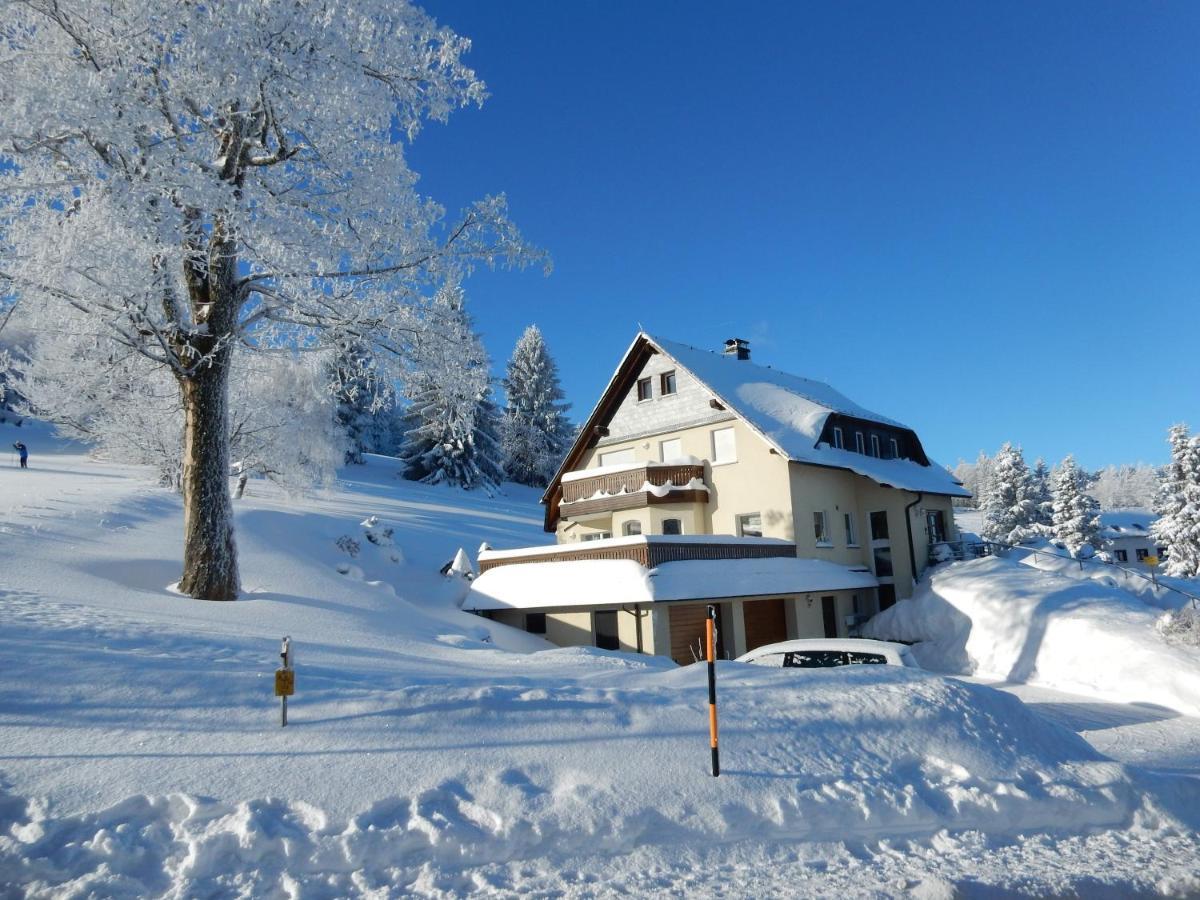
(211, 557)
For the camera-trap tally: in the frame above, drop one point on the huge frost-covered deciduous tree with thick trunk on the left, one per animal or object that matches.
(199, 177)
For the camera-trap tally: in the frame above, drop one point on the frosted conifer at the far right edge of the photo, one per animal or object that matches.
(1178, 506)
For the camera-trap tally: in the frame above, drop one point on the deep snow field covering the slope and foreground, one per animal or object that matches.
(433, 753)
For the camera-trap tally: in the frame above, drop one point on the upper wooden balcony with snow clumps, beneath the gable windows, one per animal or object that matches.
(632, 488)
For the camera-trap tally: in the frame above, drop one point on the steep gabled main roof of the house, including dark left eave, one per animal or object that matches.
(788, 411)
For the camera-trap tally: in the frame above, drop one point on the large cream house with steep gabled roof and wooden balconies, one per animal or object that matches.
(701, 478)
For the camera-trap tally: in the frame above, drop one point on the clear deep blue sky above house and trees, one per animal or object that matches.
(980, 219)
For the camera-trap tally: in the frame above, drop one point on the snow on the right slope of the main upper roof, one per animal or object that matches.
(791, 412)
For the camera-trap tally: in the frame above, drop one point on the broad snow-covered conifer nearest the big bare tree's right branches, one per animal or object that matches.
(452, 423)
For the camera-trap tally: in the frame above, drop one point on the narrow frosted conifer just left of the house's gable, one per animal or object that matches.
(536, 434)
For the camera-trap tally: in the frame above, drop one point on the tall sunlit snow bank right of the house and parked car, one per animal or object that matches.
(1000, 619)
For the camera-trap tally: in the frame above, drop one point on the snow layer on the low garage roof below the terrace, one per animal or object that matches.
(613, 583)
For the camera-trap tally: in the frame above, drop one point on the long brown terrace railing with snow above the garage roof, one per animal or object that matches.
(649, 550)
